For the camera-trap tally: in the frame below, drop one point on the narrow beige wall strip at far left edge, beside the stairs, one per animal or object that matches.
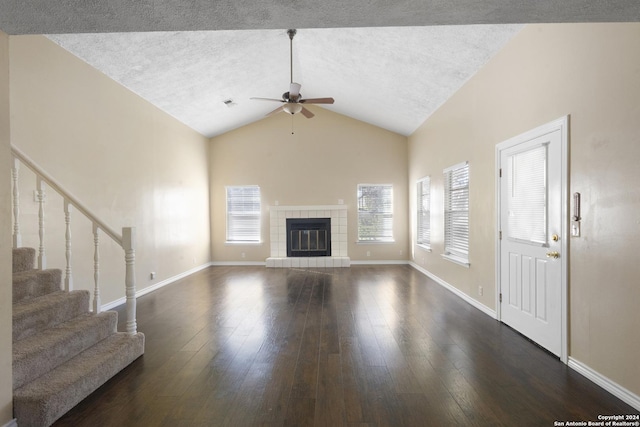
(6, 389)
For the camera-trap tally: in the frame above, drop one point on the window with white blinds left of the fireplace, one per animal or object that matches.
(243, 214)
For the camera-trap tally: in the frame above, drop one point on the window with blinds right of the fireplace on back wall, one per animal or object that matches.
(375, 213)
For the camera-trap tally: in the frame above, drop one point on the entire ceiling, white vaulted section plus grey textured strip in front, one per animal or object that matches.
(390, 65)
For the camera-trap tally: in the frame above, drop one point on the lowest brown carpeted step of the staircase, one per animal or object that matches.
(44, 400)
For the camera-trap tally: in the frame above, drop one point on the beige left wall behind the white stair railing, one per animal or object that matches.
(130, 163)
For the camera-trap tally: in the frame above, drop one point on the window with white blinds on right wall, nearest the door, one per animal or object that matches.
(456, 213)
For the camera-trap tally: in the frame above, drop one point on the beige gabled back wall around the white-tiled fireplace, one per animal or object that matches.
(324, 161)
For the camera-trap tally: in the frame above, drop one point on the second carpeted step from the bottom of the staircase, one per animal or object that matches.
(44, 351)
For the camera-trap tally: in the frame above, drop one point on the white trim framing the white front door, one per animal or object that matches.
(561, 124)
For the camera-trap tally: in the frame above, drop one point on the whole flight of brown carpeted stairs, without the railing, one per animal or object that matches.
(62, 352)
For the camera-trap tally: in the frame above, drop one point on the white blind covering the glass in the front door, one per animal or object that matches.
(527, 199)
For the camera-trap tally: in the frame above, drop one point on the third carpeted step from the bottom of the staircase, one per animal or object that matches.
(37, 314)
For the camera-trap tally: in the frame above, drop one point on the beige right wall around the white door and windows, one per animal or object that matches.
(592, 73)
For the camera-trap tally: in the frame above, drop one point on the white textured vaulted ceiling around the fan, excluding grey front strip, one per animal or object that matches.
(390, 77)
